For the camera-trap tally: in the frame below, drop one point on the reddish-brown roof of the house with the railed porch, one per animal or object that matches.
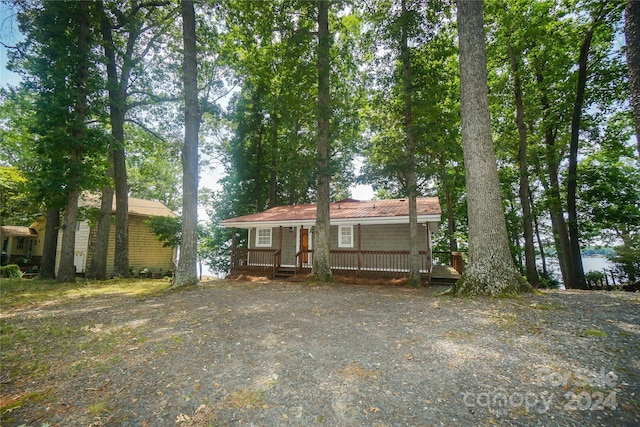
(348, 210)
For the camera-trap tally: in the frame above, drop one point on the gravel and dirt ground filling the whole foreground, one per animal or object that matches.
(280, 354)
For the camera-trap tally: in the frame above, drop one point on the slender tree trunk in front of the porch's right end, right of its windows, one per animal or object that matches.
(410, 149)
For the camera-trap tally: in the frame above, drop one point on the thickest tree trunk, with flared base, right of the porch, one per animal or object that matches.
(491, 270)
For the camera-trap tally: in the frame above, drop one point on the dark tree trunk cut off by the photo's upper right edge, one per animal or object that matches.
(632, 35)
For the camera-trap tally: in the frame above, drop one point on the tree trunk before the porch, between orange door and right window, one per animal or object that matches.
(321, 248)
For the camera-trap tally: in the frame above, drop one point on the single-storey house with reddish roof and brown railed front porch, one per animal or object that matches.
(366, 237)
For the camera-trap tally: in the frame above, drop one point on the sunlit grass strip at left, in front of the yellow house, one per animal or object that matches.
(15, 293)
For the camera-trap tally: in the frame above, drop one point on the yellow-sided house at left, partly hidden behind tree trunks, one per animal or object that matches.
(145, 251)
